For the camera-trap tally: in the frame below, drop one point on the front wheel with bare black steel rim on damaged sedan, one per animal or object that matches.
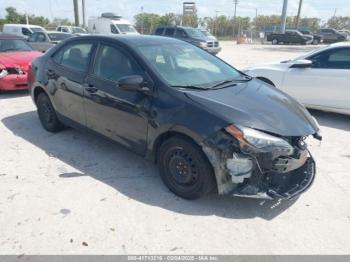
(184, 168)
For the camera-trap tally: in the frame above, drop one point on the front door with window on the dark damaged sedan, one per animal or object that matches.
(118, 114)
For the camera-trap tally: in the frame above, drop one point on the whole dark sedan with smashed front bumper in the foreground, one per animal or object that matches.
(207, 125)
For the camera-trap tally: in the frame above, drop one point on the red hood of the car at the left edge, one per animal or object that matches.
(21, 59)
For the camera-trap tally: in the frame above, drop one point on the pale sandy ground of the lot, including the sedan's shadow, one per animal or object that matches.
(71, 192)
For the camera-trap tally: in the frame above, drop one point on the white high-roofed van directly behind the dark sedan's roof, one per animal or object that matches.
(109, 23)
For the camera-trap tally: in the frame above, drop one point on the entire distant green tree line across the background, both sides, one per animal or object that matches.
(222, 26)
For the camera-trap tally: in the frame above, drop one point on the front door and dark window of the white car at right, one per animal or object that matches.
(326, 83)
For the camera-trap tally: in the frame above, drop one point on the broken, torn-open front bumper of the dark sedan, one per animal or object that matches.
(261, 174)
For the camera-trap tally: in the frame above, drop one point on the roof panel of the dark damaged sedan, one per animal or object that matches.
(133, 40)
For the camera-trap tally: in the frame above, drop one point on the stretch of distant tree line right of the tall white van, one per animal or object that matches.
(223, 26)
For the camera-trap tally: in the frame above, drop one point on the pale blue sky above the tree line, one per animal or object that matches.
(128, 8)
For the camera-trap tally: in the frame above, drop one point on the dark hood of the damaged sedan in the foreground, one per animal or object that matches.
(257, 105)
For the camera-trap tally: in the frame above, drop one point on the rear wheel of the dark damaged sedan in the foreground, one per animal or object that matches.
(47, 114)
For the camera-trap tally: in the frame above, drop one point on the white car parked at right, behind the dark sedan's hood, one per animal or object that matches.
(319, 79)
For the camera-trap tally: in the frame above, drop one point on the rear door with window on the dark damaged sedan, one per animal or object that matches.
(66, 72)
